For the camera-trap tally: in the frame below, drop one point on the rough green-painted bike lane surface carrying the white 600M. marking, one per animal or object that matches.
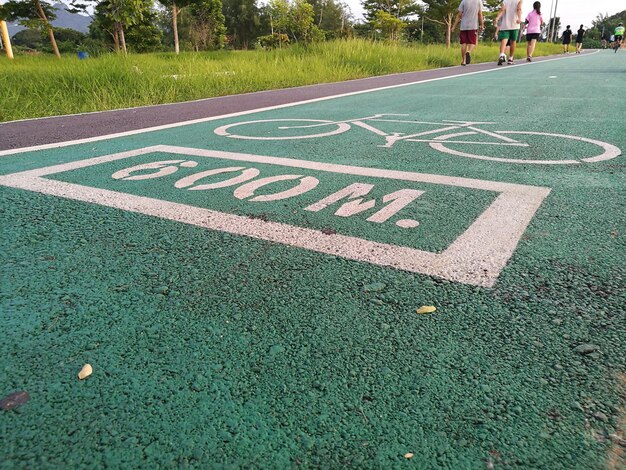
(274, 325)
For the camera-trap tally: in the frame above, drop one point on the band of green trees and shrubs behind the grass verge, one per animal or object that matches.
(202, 25)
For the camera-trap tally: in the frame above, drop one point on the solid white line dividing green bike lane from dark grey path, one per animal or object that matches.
(242, 113)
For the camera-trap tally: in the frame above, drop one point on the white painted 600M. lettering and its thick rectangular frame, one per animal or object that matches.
(476, 257)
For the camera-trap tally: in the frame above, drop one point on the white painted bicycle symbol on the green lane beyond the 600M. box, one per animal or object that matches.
(450, 133)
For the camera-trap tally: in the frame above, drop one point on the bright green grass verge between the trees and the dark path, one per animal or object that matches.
(43, 86)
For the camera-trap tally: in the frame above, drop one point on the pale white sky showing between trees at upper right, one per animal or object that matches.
(572, 12)
